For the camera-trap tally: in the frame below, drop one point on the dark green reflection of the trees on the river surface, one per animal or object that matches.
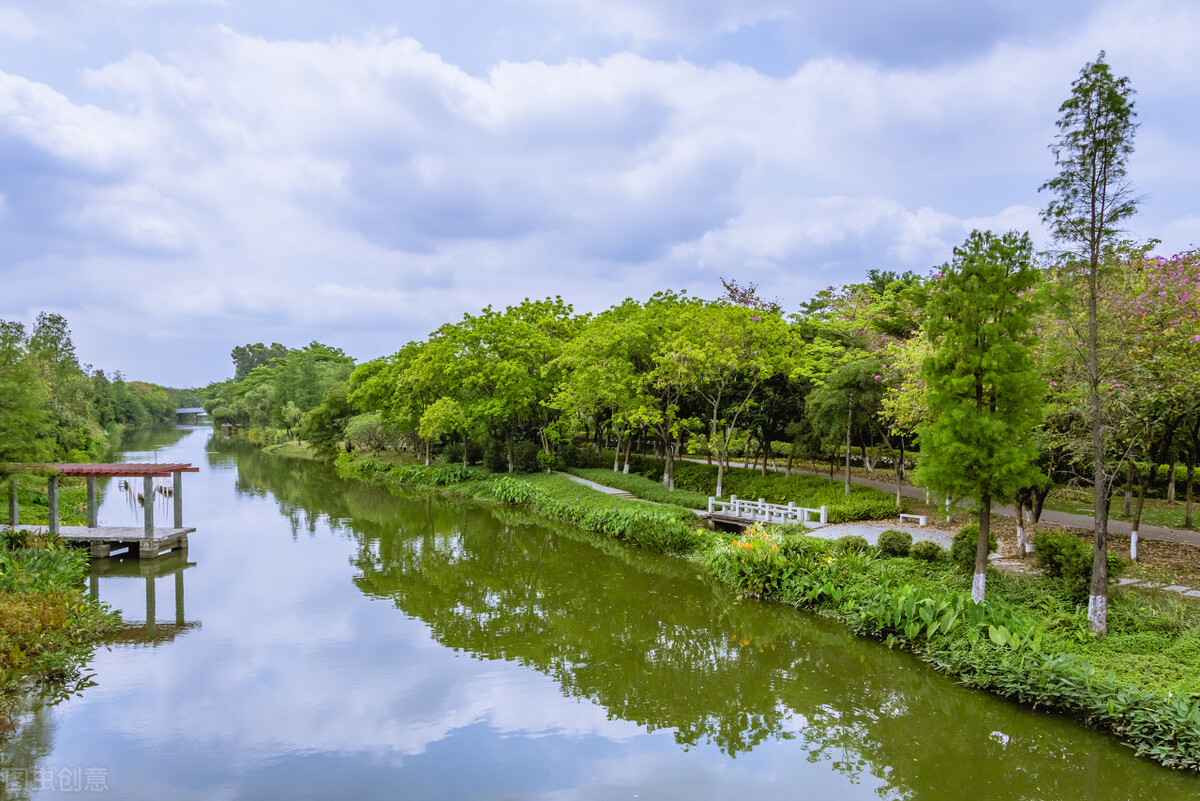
(639, 635)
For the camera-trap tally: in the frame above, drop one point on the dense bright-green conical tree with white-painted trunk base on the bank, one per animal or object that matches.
(983, 393)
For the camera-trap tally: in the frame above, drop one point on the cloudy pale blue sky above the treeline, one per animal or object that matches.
(183, 177)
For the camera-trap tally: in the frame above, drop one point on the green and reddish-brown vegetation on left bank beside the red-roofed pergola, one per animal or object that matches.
(49, 627)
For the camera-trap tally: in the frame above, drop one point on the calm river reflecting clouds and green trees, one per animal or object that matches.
(328, 640)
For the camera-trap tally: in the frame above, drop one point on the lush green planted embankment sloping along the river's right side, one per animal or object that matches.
(1028, 642)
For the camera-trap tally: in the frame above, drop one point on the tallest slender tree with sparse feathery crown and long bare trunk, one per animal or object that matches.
(1093, 197)
